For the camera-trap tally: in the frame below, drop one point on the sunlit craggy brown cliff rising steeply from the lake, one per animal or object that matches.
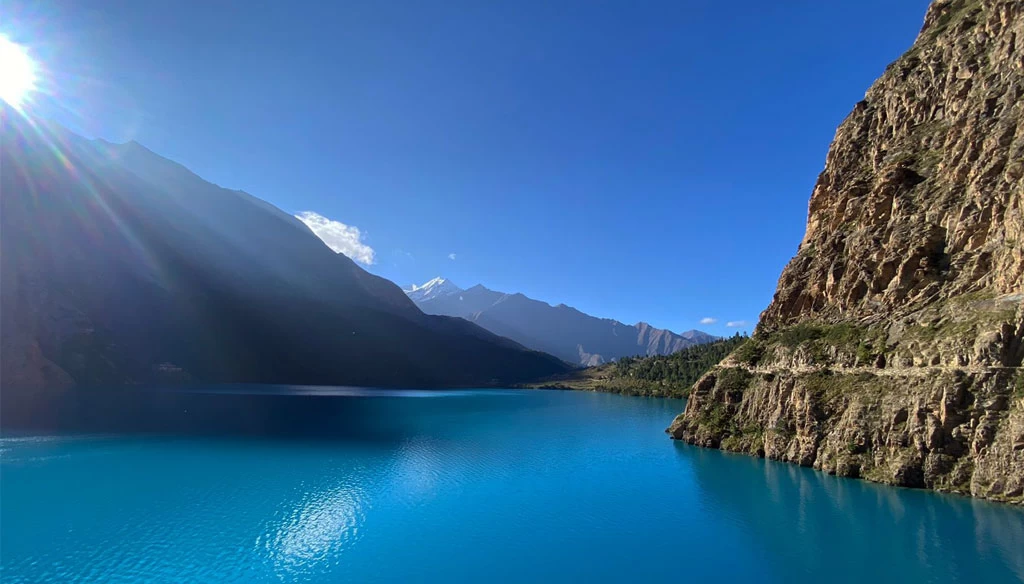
(892, 349)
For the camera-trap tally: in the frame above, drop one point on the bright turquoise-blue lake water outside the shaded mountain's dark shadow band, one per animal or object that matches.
(474, 487)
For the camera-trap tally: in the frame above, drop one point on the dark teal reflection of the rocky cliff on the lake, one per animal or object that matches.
(798, 515)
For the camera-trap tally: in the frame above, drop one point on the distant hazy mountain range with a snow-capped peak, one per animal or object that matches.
(563, 331)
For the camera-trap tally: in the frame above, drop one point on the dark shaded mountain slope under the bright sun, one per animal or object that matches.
(121, 268)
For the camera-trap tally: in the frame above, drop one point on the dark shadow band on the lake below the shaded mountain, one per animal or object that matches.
(247, 411)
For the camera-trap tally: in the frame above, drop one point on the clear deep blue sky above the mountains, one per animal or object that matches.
(638, 160)
